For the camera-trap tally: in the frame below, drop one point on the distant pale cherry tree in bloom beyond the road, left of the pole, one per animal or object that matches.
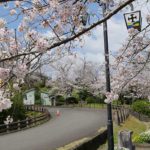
(76, 72)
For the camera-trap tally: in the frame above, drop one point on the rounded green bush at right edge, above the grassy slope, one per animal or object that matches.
(142, 107)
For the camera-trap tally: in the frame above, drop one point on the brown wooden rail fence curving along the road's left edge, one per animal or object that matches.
(28, 122)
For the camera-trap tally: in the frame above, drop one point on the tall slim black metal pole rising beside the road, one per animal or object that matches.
(108, 88)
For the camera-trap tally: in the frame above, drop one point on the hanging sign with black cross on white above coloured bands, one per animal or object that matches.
(133, 20)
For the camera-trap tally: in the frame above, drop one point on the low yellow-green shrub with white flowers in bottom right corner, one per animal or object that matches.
(143, 137)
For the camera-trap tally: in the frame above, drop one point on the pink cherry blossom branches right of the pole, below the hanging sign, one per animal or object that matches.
(132, 64)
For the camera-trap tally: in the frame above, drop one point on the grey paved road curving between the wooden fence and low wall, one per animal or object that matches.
(71, 125)
